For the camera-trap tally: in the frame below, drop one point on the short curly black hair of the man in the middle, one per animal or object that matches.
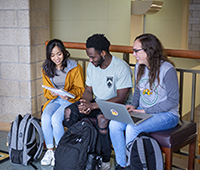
(99, 42)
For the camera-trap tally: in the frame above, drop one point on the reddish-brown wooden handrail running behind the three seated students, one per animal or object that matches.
(128, 49)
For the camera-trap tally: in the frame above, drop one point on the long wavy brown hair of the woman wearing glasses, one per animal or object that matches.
(155, 57)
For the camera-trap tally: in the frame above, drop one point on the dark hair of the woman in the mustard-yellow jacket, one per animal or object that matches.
(49, 66)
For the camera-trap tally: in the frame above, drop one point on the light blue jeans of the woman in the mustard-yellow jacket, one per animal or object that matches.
(52, 121)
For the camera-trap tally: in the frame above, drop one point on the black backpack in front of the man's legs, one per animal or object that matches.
(75, 145)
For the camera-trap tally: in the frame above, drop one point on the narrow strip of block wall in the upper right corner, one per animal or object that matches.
(194, 25)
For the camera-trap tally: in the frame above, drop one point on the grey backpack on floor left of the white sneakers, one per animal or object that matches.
(25, 140)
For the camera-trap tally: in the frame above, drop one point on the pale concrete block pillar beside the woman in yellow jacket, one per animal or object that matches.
(24, 28)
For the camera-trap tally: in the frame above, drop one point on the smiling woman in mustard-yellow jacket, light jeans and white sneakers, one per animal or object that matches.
(58, 71)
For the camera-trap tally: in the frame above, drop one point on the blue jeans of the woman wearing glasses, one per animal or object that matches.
(119, 139)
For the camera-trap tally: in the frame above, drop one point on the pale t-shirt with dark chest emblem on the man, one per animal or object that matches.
(106, 82)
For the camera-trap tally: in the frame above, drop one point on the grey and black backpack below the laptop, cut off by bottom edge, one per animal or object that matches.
(144, 153)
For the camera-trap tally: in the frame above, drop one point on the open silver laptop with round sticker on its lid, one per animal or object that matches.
(118, 112)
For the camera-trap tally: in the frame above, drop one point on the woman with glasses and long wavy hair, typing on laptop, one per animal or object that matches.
(156, 92)
